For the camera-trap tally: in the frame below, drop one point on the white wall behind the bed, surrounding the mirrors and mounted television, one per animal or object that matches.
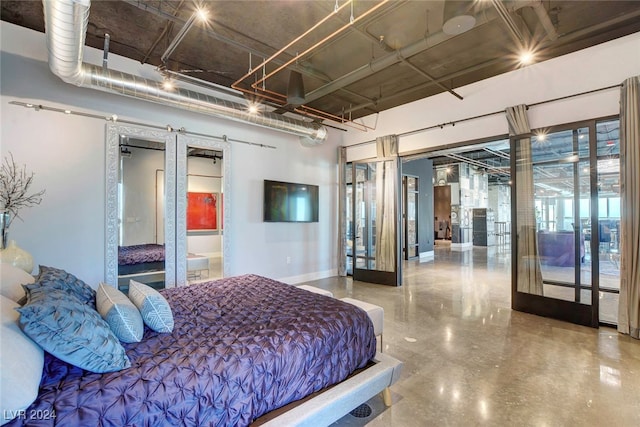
(67, 153)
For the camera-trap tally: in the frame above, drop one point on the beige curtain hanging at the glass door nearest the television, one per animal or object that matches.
(386, 177)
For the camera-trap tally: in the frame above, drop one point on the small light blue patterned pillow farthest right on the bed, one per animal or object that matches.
(155, 310)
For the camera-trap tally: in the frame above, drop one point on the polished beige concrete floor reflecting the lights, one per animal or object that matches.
(470, 360)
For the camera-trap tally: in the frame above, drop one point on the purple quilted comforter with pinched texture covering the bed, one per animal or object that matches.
(241, 347)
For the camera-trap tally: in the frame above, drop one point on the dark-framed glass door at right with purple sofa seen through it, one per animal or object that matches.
(567, 215)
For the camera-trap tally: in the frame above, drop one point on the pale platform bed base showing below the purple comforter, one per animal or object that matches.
(332, 404)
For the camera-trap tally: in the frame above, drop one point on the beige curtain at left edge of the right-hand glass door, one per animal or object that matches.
(529, 271)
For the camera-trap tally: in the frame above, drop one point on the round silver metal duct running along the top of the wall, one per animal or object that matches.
(65, 27)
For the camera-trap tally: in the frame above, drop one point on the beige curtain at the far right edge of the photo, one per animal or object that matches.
(629, 305)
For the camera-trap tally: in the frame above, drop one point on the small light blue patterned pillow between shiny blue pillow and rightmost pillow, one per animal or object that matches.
(123, 317)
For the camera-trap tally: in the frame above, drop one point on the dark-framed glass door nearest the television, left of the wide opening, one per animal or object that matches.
(373, 236)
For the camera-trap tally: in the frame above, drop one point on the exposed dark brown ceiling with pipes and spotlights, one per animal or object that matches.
(367, 57)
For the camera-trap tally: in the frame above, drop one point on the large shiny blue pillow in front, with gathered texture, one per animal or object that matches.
(71, 331)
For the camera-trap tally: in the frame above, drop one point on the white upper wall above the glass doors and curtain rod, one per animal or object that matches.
(597, 67)
